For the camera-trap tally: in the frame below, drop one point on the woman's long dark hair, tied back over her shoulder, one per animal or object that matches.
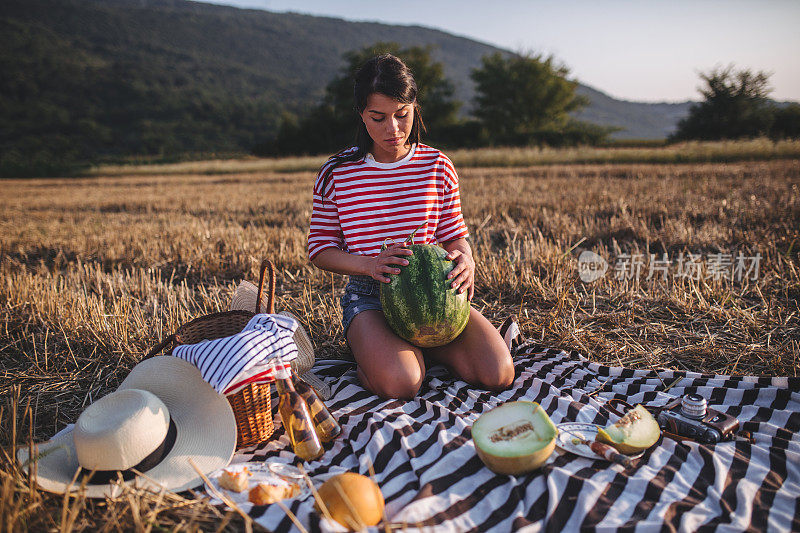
(387, 75)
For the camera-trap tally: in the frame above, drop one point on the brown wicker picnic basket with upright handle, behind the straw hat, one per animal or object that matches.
(251, 405)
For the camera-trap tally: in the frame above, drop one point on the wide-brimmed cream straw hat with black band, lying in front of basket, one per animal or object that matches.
(162, 415)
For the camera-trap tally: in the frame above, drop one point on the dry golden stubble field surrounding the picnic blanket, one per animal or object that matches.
(96, 270)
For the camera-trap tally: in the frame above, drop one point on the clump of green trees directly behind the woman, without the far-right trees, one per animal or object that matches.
(521, 100)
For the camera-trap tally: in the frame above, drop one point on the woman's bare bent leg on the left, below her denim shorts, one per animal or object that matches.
(387, 365)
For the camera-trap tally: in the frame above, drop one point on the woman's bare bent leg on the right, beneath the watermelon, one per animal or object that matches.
(478, 355)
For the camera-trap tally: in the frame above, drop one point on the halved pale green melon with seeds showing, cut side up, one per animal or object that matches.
(514, 438)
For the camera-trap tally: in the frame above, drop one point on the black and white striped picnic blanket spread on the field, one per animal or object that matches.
(432, 479)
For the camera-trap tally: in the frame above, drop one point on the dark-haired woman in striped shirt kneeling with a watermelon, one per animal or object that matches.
(379, 191)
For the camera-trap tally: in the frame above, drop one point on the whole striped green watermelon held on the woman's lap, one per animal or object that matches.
(419, 303)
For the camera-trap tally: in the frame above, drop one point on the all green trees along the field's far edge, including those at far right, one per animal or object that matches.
(525, 100)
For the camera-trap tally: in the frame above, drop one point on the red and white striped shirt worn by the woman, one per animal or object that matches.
(366, 203)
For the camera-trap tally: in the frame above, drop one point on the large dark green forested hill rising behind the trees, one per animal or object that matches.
(93, 79)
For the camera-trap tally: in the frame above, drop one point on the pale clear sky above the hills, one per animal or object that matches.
(640, 50)
